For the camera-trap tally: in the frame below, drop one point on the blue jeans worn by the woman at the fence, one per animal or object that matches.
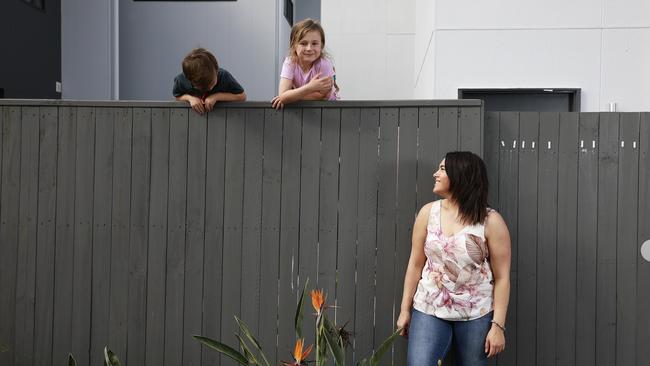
(429, 339)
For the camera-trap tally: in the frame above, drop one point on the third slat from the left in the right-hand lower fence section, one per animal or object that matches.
(527, 237)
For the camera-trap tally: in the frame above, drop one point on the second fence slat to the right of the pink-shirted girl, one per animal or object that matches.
(367, 233)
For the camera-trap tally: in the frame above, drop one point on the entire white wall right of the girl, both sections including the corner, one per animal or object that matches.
(598, 46)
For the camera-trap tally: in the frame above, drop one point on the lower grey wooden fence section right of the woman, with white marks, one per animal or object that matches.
(575, 191)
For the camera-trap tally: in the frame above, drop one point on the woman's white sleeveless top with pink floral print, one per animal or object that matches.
(456, 281)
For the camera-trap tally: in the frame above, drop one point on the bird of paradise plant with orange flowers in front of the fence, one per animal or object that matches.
(329, 340)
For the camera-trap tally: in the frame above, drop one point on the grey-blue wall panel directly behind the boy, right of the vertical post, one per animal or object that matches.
(154, 37)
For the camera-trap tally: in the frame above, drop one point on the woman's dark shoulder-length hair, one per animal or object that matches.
(468, 185)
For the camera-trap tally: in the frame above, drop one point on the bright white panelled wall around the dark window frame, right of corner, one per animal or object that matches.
(600, 47)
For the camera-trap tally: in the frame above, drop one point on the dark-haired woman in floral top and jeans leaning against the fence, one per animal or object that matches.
(457, 282)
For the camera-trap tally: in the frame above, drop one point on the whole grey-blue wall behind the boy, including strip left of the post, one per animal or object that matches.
(151, 38)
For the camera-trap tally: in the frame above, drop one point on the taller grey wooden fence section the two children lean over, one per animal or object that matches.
(136, 225)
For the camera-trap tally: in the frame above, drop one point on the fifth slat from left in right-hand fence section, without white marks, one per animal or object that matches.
(567, 209)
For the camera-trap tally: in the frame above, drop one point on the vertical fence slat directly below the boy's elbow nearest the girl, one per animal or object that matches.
(232, 237)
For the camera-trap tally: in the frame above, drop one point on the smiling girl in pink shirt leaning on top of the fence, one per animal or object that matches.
(307, 73)
